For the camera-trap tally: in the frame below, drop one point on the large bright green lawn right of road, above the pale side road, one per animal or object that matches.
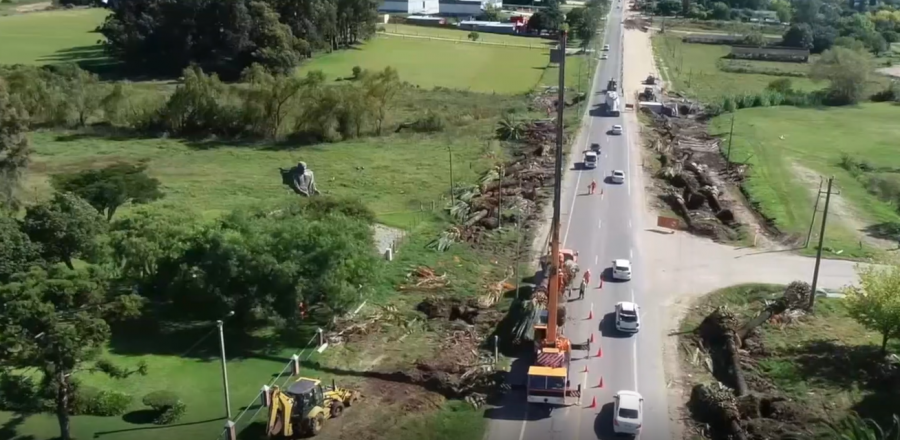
(815, 139)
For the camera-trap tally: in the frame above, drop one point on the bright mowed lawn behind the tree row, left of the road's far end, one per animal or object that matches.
(434, 63)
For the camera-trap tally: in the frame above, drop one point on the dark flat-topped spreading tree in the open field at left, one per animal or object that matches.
(109, 188)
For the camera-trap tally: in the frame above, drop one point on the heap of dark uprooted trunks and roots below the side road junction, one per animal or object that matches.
(728, 408)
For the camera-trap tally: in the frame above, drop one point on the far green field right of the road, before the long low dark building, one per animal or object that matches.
(691, 69)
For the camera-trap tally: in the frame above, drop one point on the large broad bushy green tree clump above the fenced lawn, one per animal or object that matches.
(262, 265)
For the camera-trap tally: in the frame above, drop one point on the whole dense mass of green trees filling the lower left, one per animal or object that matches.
(259, 263)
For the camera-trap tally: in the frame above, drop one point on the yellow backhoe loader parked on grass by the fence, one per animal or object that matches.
(303, 407)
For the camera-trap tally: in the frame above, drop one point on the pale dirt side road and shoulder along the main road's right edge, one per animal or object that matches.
(681, 267)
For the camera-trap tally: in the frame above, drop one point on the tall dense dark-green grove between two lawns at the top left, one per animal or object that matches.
(226, 36)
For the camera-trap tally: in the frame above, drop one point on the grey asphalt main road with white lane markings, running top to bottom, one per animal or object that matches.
(601, 227)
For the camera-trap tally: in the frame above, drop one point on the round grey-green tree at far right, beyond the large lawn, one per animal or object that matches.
(847, 72)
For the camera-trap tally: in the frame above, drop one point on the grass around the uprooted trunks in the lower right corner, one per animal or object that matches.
(820, 361)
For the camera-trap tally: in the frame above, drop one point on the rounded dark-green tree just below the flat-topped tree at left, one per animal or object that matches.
(66, 227)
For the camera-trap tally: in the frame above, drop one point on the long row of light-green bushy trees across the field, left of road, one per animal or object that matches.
(266, 105)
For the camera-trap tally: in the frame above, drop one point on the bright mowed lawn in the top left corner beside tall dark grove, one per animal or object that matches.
(51, 37)
